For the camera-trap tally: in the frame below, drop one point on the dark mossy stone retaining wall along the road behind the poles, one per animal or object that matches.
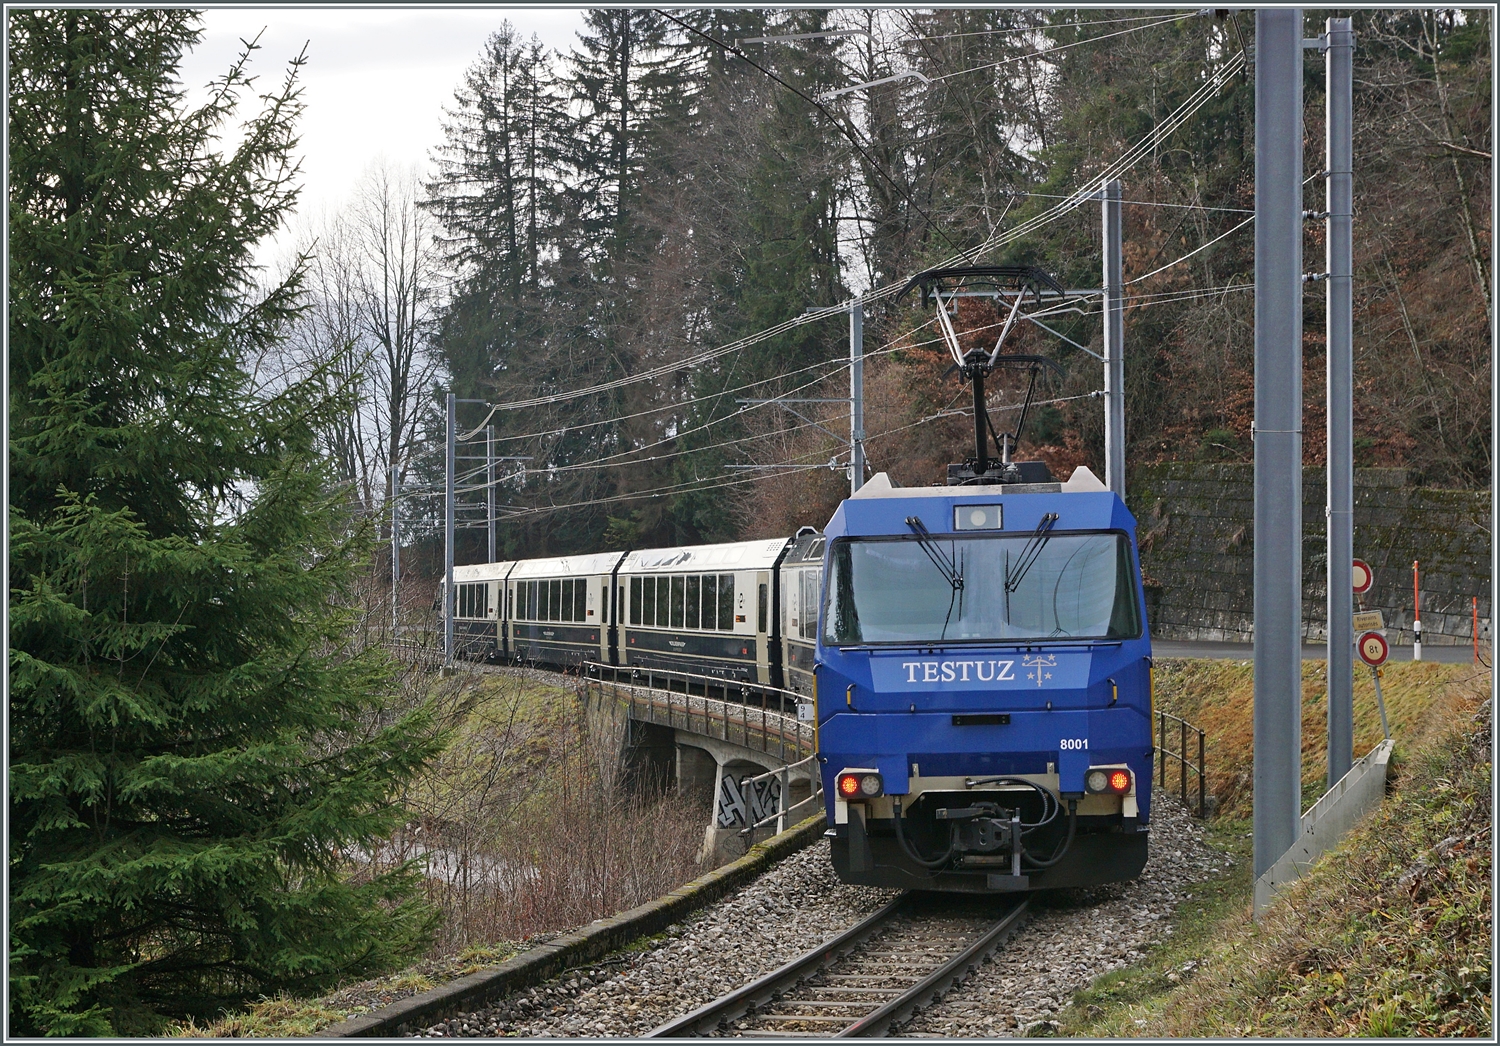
(1198, 552)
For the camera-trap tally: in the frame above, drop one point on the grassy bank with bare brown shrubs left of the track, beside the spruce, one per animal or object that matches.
(526, 828)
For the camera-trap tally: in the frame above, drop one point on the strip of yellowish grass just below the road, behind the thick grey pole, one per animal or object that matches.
(1219, 697)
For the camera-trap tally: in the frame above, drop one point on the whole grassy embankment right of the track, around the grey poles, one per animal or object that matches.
(1388, 936)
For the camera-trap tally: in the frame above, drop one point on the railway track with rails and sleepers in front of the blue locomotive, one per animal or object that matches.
(869, 979)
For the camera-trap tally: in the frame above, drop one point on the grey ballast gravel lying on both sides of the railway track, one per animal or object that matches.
(1070, 939)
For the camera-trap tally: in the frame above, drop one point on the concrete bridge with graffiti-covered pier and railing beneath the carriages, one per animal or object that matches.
(745, 745)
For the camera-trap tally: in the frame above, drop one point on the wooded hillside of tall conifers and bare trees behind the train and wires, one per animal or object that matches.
(628, 238)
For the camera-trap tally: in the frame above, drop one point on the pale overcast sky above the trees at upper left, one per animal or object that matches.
(376, 80)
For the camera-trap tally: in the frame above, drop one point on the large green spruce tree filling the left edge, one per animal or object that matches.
(197, 754)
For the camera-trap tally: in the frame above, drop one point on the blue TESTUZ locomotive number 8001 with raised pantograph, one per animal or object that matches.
(983, 679)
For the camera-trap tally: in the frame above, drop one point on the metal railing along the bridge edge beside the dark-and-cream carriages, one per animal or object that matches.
(742, 715)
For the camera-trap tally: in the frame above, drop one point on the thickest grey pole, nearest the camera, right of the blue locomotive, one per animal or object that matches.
(1279, 433)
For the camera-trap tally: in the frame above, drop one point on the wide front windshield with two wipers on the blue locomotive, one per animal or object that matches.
(1012, 588)
